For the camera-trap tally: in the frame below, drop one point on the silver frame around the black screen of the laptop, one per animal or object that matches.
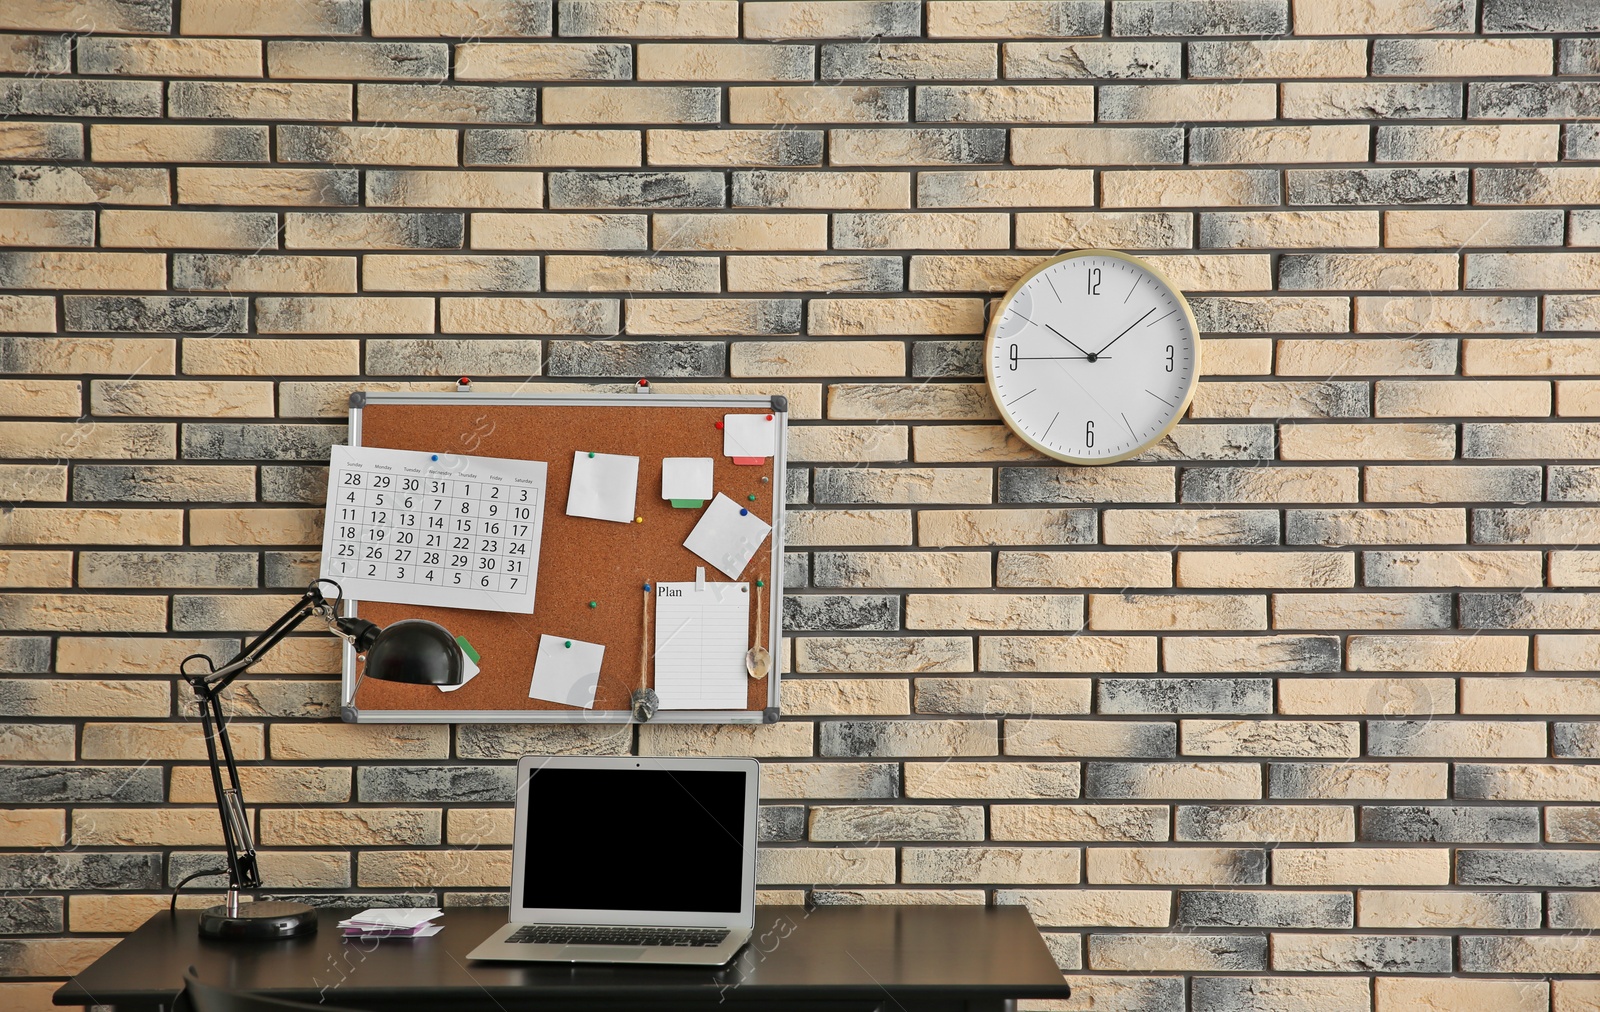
(647, 872)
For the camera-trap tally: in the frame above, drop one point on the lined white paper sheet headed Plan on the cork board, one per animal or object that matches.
(702, 638)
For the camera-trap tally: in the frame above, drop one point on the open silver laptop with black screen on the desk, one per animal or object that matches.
(631, 859)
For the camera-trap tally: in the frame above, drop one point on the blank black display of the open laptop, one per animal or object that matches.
(636, 840)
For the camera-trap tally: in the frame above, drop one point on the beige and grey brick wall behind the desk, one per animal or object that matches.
(1289, 713)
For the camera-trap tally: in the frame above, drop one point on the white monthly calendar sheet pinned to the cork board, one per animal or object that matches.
(434, 529)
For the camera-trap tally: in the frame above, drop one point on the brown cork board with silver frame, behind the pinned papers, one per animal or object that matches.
(580, 560)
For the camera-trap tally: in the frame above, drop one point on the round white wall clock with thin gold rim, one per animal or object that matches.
(1094, 356)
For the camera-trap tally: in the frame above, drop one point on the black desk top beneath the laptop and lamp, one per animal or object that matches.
(828, 960)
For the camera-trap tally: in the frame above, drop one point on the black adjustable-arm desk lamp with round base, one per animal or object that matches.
(409, 651)
